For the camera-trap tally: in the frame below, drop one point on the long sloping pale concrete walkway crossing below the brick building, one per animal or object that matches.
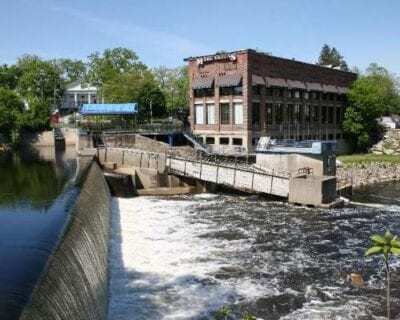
(237, 175)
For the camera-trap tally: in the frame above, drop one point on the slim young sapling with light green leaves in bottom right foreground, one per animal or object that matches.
(386, 245)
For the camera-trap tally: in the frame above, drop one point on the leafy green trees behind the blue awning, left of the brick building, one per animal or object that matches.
(33, 86)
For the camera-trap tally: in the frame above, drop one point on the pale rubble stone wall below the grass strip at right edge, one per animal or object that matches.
(363, 174)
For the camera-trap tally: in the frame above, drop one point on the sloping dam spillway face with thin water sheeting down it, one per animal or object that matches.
(74, 283)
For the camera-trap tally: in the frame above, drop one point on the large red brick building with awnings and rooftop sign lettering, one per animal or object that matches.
(239, 96)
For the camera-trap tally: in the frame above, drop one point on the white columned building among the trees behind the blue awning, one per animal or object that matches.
(77, 94)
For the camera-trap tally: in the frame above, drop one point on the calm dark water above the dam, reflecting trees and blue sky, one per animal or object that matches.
(35, 193)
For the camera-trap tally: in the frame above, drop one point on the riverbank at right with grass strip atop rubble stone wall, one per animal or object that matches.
(369, 169)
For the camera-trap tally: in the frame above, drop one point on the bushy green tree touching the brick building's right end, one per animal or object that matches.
(372, 95)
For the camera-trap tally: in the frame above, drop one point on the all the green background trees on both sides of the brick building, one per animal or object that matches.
(33, 86)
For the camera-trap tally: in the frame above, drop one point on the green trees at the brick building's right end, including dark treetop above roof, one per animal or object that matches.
(374, 94)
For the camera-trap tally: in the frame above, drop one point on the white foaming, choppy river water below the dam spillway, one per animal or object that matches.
(185, 257)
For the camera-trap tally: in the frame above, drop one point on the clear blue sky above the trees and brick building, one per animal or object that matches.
(165, 32)
